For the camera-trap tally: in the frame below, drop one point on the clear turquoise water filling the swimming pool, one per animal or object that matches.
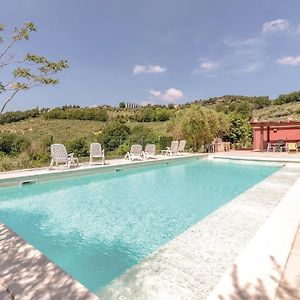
(95, 227)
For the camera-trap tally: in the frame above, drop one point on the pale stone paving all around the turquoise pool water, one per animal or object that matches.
(208, 261)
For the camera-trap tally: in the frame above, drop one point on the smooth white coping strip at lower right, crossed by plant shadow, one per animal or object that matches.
(264, 259)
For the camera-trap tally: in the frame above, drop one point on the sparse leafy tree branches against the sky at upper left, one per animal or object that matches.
(31, 71)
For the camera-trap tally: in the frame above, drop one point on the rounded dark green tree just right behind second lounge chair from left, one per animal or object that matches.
(114, 135)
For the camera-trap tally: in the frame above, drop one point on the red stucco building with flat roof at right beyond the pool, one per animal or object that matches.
(265, 132)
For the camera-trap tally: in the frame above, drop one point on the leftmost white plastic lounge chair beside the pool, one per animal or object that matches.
(59, 155)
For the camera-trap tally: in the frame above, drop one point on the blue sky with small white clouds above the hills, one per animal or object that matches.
(159, 51)
